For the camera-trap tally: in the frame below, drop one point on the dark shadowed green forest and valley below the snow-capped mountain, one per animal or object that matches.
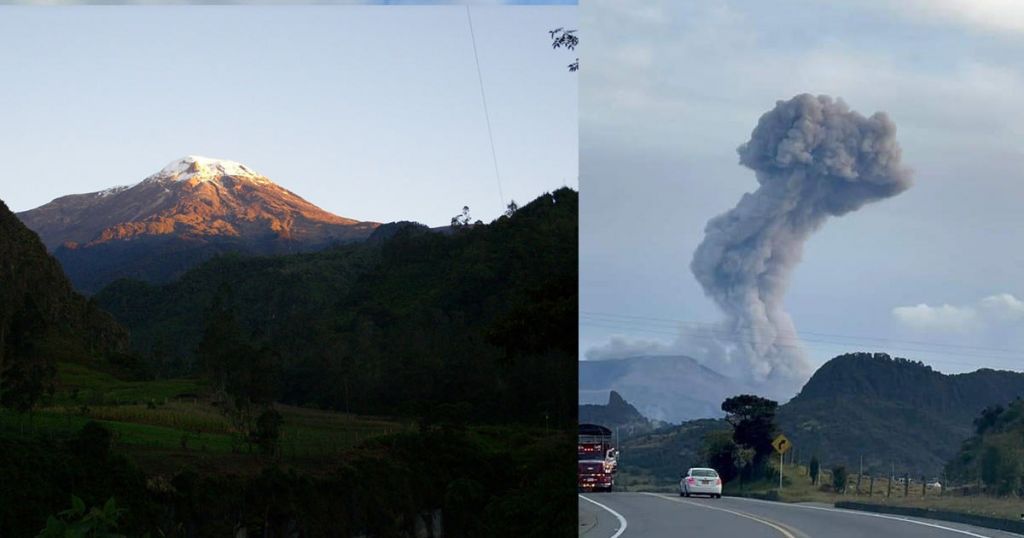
(368, 390)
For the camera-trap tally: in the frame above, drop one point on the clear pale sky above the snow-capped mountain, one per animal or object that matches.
(369, 112)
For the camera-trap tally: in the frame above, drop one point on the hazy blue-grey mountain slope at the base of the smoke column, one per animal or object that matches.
(672, 389)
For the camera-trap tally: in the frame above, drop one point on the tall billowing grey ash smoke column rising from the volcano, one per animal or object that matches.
(814, 159)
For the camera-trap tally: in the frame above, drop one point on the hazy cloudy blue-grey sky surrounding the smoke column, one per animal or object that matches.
(670, 91)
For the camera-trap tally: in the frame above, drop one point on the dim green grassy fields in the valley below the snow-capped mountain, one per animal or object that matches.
(175, 420)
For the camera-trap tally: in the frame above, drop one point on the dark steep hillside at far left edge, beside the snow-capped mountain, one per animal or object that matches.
(42, 319)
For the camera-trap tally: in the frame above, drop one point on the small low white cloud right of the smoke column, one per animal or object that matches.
(992, 311)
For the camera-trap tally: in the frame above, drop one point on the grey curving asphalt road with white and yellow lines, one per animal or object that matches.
(663, 516)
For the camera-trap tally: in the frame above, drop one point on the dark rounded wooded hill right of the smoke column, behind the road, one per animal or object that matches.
(891, 411)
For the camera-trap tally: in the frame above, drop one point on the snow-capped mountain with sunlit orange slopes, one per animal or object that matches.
(193, 210)
